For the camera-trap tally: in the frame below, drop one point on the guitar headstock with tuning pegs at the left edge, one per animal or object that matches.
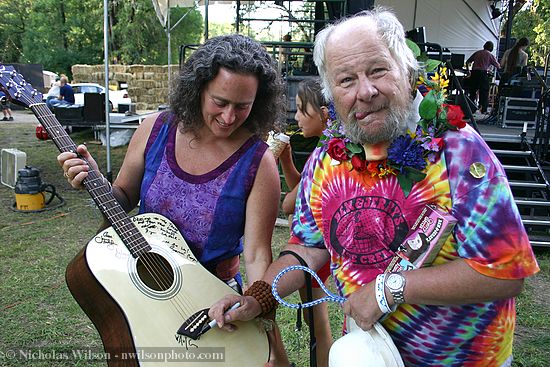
(16, 88)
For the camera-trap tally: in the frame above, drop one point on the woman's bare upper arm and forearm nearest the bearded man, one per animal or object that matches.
(261, 211)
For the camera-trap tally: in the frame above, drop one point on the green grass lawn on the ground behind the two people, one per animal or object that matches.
(37, 312)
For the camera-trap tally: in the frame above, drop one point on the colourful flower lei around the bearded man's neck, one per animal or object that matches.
(408, 154)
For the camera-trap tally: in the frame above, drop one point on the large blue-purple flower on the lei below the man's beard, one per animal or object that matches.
(406, 152)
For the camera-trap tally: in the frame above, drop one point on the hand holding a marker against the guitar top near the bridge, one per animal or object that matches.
(249, 309)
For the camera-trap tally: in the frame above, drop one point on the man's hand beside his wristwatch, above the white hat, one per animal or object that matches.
(362, 307)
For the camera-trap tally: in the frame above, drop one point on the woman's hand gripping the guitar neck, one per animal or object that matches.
(75, 169)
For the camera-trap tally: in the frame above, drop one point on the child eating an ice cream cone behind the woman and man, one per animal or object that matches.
(312, 115)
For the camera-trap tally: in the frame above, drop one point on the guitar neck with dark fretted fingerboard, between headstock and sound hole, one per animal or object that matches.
(95, 185)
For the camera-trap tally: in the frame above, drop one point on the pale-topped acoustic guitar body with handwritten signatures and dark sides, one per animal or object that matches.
(135, 313)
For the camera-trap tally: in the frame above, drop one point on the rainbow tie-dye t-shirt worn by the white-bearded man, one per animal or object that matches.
(359, 218)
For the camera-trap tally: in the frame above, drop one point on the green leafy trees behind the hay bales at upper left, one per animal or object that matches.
(60, 33)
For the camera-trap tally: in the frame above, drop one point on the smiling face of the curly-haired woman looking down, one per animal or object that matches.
(227, 100)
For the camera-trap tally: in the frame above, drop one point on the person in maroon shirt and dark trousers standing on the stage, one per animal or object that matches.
(480, 79)
